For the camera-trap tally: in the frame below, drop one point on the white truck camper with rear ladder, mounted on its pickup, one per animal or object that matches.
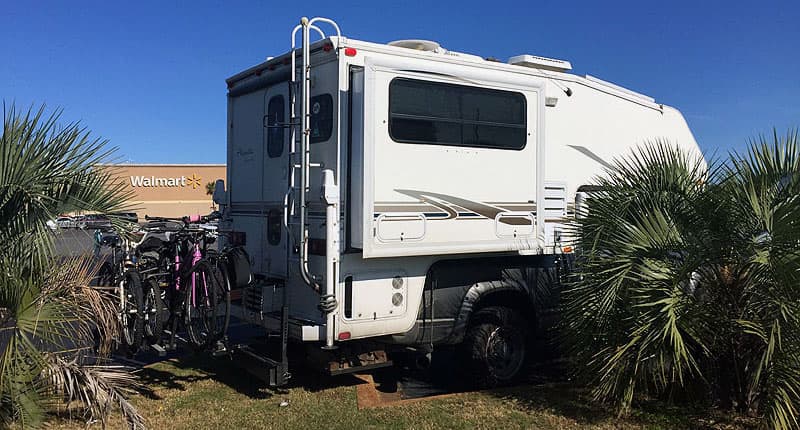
(405, 197)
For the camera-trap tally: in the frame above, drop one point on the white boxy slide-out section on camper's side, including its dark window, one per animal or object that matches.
(450, 159)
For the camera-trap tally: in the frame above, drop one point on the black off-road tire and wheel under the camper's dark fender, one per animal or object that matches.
(496, 346)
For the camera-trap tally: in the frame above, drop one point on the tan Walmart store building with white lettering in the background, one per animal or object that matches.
(169, 190)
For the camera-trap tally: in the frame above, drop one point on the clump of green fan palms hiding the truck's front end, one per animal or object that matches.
(687, 286)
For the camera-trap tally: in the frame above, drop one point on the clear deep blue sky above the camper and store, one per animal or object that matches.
(149, 76)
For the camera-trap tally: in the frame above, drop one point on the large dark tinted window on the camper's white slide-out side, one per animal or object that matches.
(445, 114)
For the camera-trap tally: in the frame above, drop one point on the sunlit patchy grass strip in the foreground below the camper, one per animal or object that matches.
(201, 393)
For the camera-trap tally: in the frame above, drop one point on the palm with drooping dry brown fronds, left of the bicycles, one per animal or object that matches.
(49, 315)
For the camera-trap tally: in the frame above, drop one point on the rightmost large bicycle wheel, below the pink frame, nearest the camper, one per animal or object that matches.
(207, 305)
